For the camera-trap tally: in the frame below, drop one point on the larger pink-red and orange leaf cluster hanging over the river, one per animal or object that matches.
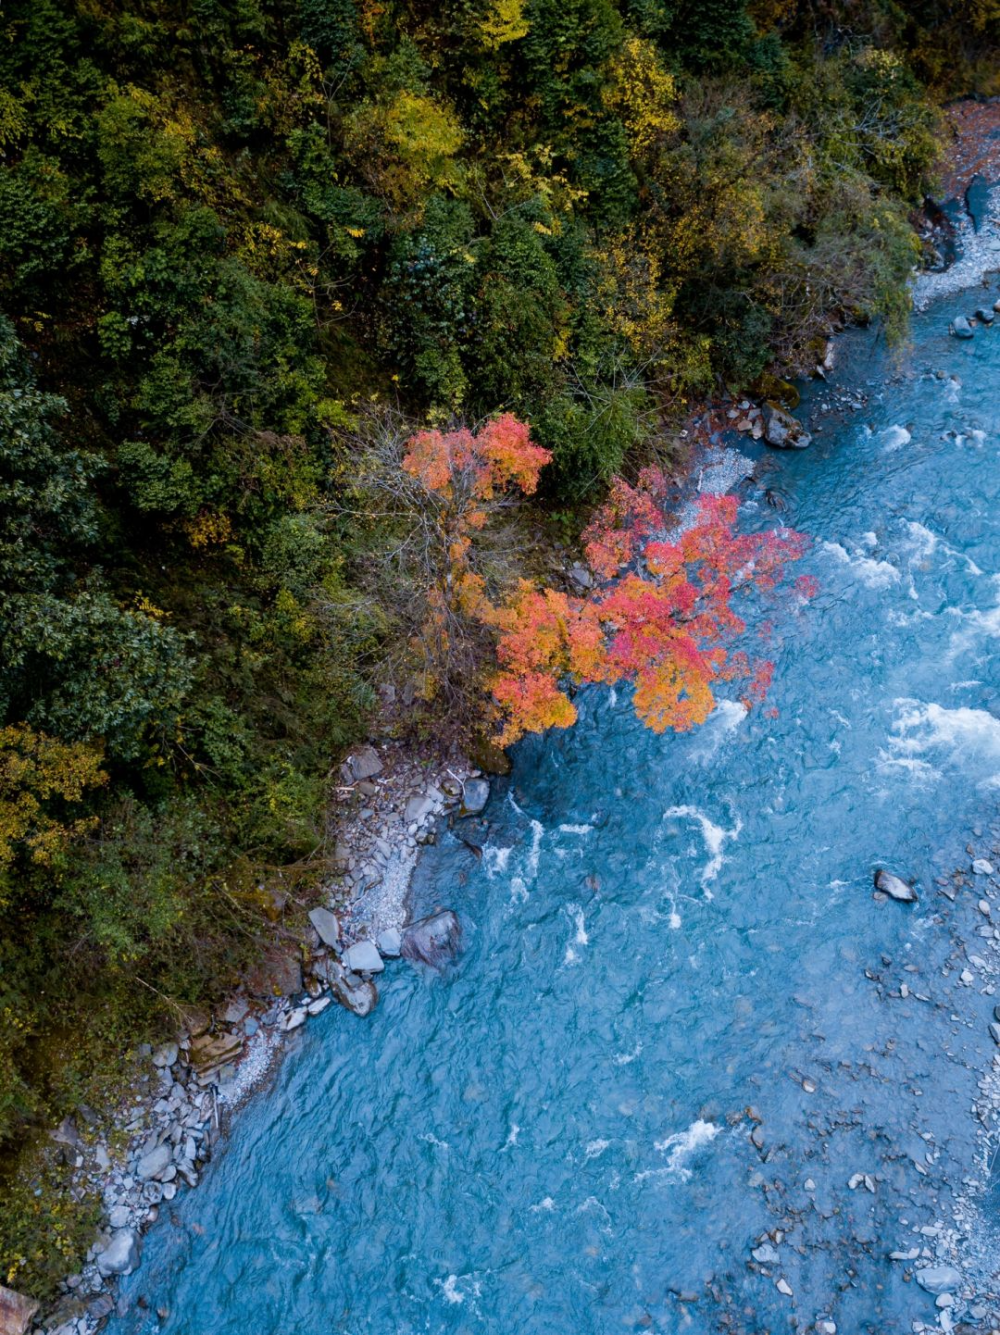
(666, 627)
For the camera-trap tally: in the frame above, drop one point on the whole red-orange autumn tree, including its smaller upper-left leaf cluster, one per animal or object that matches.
(662, 617)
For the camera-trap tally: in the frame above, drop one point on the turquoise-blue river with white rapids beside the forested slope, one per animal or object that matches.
(552, 1138)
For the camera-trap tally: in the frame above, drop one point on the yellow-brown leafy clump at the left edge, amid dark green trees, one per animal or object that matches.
(38, 771)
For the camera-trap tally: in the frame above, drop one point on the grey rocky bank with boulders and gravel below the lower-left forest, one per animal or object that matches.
(389, 803)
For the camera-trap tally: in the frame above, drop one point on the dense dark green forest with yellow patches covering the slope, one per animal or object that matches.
(222, 226)
